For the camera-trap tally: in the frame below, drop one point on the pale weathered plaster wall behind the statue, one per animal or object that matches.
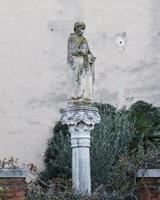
(124, 36)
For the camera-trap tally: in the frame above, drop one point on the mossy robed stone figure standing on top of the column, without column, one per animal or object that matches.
(81, 66)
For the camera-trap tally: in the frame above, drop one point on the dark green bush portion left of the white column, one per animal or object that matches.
(58, 154)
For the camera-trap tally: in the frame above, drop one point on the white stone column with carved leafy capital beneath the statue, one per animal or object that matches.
(80, 120)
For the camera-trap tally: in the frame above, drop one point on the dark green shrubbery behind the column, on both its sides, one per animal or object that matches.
(124, 141)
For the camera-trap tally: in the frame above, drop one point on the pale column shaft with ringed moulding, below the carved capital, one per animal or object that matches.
(81, 176)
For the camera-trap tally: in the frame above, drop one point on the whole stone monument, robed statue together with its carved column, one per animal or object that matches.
(80, 115)
